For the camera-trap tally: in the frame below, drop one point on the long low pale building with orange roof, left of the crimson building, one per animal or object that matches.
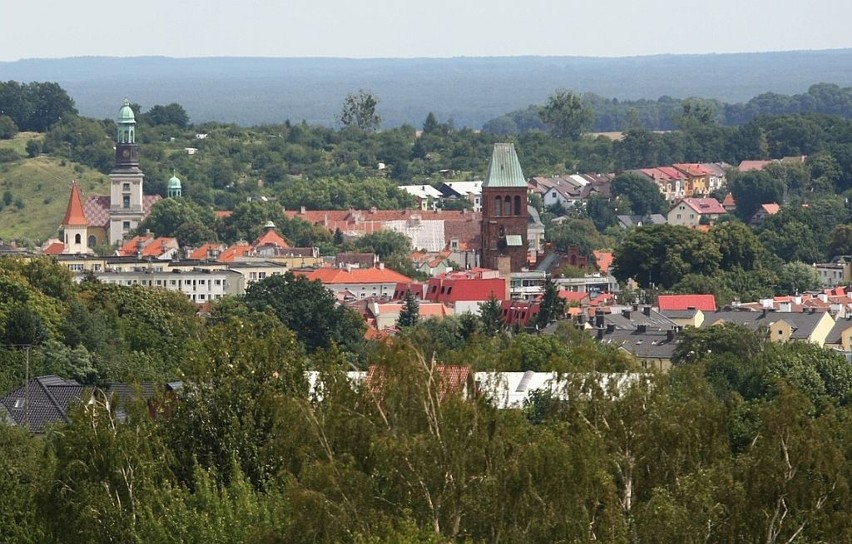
(358, 282)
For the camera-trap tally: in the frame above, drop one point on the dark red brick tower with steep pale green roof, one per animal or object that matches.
(504, 210)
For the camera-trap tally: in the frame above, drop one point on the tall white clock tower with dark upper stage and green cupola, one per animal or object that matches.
(126, 206)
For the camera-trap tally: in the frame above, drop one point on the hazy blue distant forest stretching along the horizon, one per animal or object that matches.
(470, 92)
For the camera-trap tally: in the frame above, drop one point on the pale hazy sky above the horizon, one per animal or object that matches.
(411, 28)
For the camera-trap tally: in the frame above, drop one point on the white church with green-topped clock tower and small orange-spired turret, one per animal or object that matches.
(110, 219)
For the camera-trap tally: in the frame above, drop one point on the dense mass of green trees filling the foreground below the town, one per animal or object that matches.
(742, 441)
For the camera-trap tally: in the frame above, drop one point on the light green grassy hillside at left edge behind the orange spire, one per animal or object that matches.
(43, 184)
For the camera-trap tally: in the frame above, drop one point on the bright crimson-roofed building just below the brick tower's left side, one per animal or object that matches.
(464, 291)
